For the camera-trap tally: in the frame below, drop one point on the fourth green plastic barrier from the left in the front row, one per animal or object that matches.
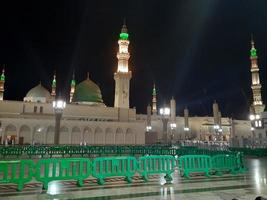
(156, 165)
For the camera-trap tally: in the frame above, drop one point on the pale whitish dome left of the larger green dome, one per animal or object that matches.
(38, 93)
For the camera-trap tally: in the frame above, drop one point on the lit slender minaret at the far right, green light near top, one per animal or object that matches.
(256, 85)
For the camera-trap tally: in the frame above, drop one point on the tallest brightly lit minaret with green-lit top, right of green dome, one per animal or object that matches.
(123, 75)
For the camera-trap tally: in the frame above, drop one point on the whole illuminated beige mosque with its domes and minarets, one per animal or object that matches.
(87, 120)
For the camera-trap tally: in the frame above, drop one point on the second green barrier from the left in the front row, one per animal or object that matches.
(62, 169)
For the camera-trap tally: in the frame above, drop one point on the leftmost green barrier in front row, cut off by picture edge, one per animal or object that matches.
(9, 169)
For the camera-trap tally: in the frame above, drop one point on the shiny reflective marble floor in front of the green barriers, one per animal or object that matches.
(242, 187)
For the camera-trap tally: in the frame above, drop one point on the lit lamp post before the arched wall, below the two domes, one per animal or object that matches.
(58, 106)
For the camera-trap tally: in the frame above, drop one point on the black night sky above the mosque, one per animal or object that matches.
(194, 50)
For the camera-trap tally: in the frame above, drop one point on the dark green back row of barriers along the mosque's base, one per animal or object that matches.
(81, 151)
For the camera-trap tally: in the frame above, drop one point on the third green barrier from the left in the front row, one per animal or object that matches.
(104, 167)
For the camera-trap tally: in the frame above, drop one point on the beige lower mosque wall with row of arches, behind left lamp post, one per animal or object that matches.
(41, 131)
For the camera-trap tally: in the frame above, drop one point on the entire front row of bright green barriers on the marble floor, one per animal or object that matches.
(47, 170)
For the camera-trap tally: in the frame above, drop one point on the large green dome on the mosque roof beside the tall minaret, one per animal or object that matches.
(87, 92)
